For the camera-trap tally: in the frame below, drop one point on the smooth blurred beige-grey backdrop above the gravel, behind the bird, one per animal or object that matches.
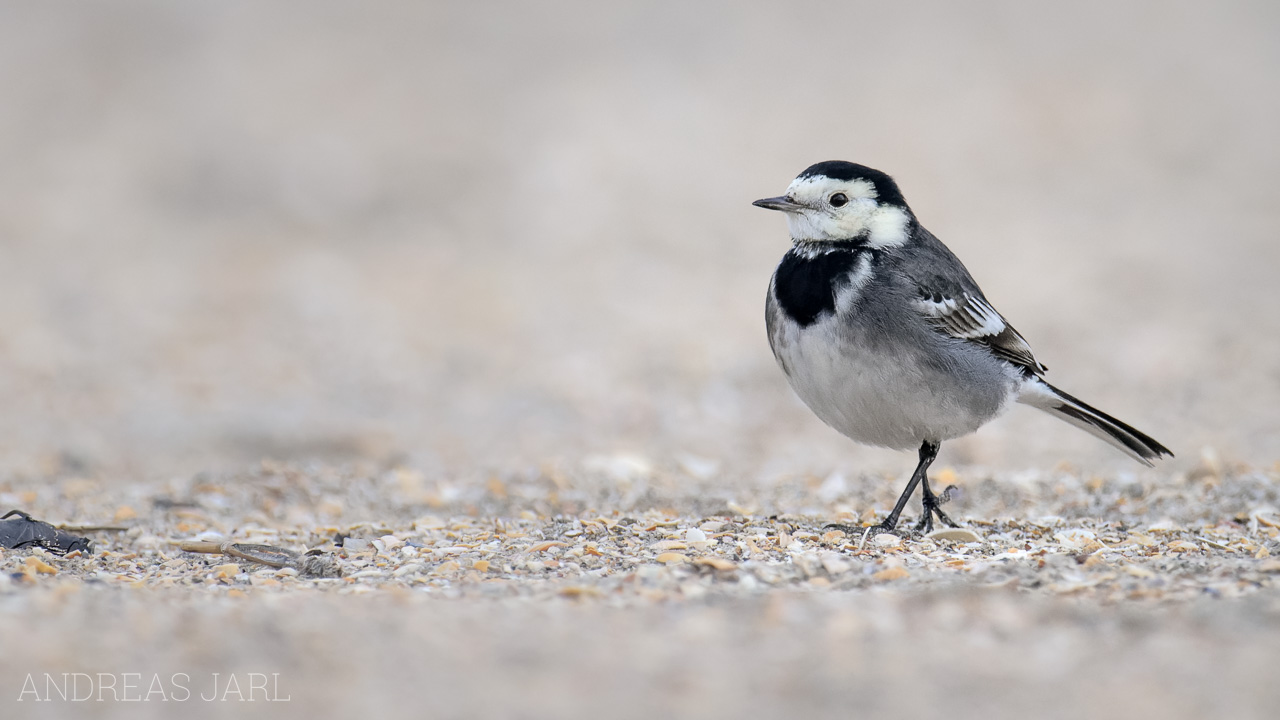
(472, 238)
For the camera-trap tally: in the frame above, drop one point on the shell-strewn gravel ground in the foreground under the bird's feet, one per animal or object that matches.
(541, 596)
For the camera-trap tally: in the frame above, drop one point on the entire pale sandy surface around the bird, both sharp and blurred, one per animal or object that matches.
(464, 282)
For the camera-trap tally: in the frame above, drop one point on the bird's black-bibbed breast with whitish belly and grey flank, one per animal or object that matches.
(870, 368)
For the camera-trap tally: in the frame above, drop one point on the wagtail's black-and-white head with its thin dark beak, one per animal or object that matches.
(838, 200)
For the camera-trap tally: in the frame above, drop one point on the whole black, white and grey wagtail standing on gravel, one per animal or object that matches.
(885, 335)
